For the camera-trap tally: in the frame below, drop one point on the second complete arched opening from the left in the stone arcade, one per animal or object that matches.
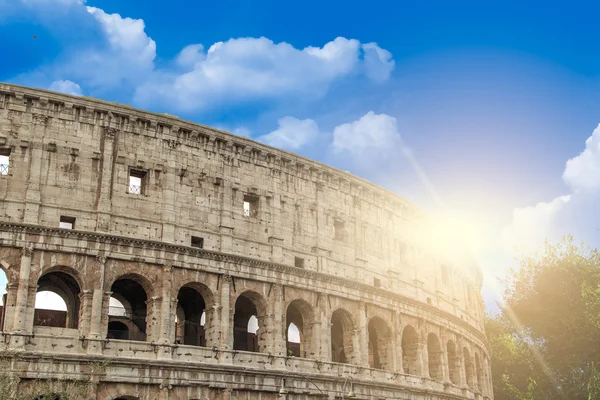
(128, 307)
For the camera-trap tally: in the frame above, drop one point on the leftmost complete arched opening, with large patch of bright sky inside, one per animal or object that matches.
(57, 301)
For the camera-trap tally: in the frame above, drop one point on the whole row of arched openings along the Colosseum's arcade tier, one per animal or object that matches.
(128, 315)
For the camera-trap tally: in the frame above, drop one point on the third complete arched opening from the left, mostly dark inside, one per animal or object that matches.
(190, 317)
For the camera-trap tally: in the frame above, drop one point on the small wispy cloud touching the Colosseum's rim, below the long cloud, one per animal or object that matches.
(292, 133)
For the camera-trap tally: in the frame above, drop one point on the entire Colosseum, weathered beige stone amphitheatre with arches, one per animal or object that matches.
(196, 264)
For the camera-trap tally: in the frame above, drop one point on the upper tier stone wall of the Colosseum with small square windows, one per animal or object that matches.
(73, 156)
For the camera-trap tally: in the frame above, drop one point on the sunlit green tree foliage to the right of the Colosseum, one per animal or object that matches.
(546, 341)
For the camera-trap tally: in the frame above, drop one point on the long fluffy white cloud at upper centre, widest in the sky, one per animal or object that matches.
(258, 68)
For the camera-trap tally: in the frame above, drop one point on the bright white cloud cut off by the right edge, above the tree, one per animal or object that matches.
(583, 171)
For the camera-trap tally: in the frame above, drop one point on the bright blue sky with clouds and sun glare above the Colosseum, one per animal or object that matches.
(467, 108)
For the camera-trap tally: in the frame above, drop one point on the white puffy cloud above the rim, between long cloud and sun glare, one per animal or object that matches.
(372, 132)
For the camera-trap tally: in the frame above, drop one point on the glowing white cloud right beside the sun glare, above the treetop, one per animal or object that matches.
(532, 225)
